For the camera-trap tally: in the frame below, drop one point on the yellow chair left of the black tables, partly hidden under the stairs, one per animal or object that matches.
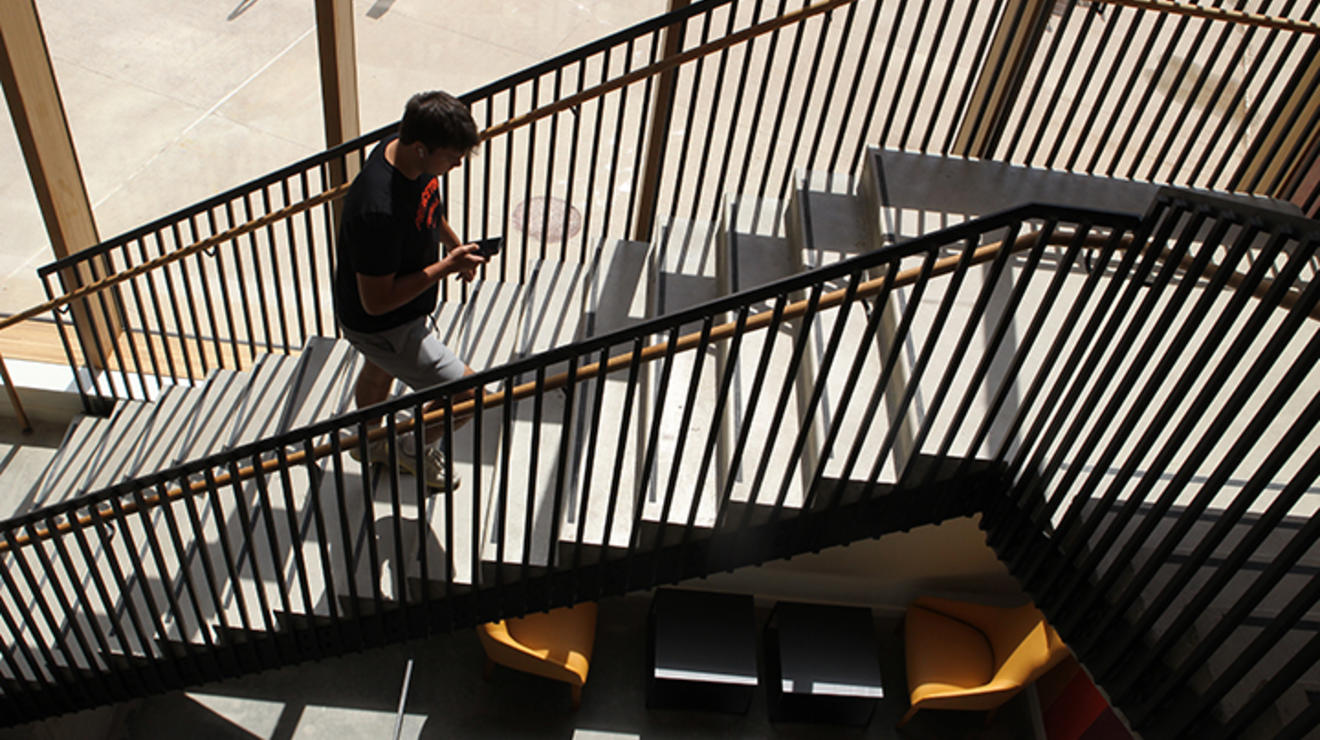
(555, 646)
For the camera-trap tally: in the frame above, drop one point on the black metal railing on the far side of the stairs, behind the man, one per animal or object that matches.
(741, 119)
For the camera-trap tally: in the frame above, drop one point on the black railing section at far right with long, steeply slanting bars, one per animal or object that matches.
(1173, 473)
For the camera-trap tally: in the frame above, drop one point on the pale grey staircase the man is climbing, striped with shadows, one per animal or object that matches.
(910, 404)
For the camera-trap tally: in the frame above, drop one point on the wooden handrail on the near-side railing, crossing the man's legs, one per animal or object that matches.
(595, 370)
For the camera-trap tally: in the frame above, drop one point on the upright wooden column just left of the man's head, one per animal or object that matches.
(339, 84)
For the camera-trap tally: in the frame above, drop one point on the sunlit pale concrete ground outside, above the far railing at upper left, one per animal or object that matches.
(184, 101)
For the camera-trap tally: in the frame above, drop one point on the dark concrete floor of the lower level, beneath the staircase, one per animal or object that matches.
(357, 697)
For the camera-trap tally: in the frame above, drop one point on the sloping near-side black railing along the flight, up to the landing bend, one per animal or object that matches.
(288, 548)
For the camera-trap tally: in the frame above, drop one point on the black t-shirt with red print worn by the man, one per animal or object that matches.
(390, 226)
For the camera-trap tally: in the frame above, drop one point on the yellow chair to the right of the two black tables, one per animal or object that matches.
(963, 656)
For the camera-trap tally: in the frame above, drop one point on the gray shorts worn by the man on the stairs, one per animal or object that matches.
(410, 353)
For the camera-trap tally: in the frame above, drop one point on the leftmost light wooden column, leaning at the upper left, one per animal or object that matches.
(48, 148)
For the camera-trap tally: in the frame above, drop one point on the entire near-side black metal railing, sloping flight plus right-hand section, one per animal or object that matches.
(1080, 361)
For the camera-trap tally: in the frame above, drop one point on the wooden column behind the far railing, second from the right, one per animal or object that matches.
(1000, 82)
